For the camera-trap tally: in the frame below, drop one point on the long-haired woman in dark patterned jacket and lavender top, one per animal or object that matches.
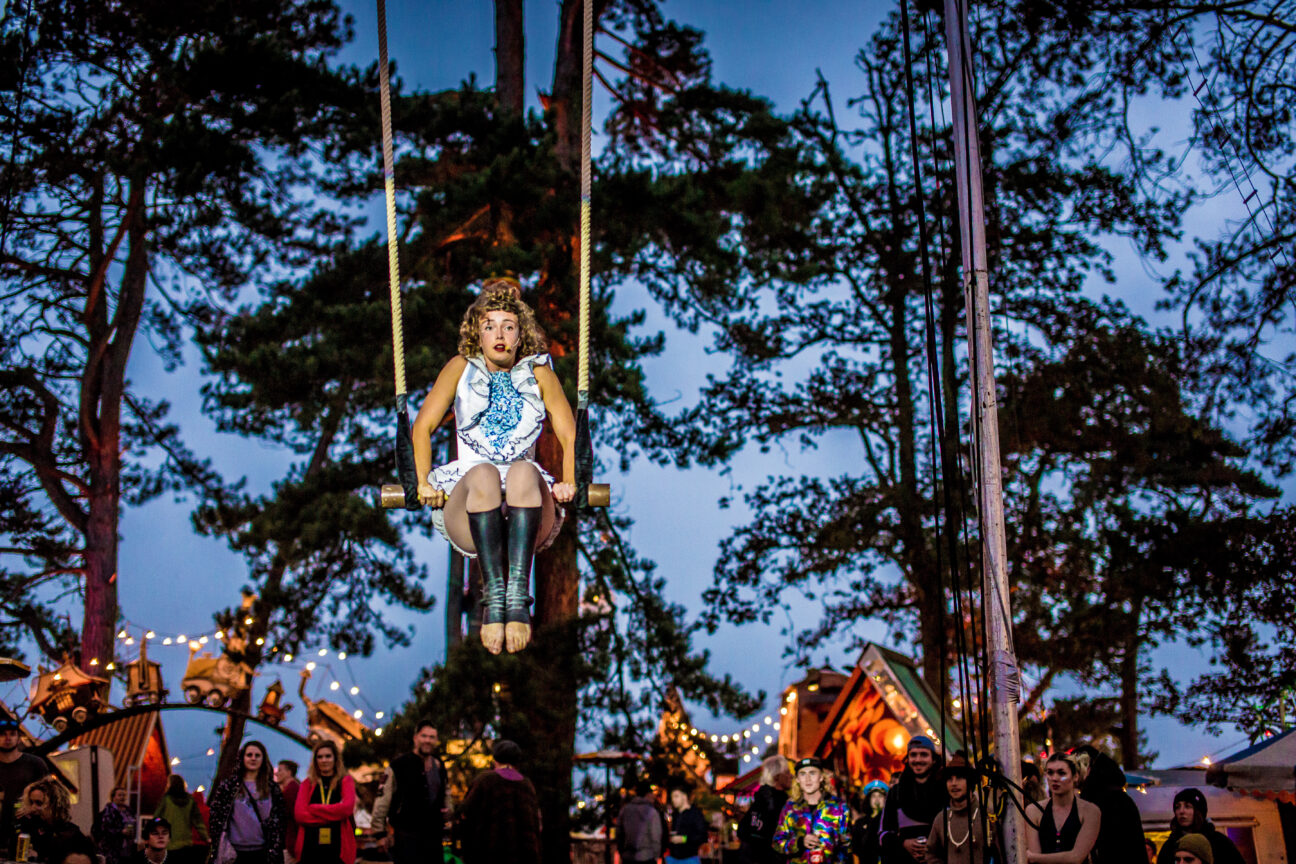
(248, 813)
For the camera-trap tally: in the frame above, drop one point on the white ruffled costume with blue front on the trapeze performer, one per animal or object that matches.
(498, 419)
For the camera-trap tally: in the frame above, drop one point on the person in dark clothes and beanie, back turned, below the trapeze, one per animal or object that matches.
(501, 815)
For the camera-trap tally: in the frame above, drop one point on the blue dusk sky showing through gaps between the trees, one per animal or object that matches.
(173, 581)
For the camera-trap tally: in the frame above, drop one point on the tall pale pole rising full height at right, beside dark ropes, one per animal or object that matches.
(1005, 688)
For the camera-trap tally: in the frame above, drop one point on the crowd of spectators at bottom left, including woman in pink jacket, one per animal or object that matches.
(264, 814)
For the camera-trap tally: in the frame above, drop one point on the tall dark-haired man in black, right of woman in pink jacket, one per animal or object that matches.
(414, 801)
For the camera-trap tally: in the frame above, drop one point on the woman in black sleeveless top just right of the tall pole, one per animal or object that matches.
(1067, 826)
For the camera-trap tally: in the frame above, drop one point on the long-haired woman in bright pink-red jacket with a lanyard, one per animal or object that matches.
(326, 810)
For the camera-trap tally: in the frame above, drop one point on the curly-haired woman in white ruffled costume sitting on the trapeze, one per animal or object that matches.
(494, 502)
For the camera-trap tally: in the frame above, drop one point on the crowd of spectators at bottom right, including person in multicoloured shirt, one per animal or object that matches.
(1076, 813)
